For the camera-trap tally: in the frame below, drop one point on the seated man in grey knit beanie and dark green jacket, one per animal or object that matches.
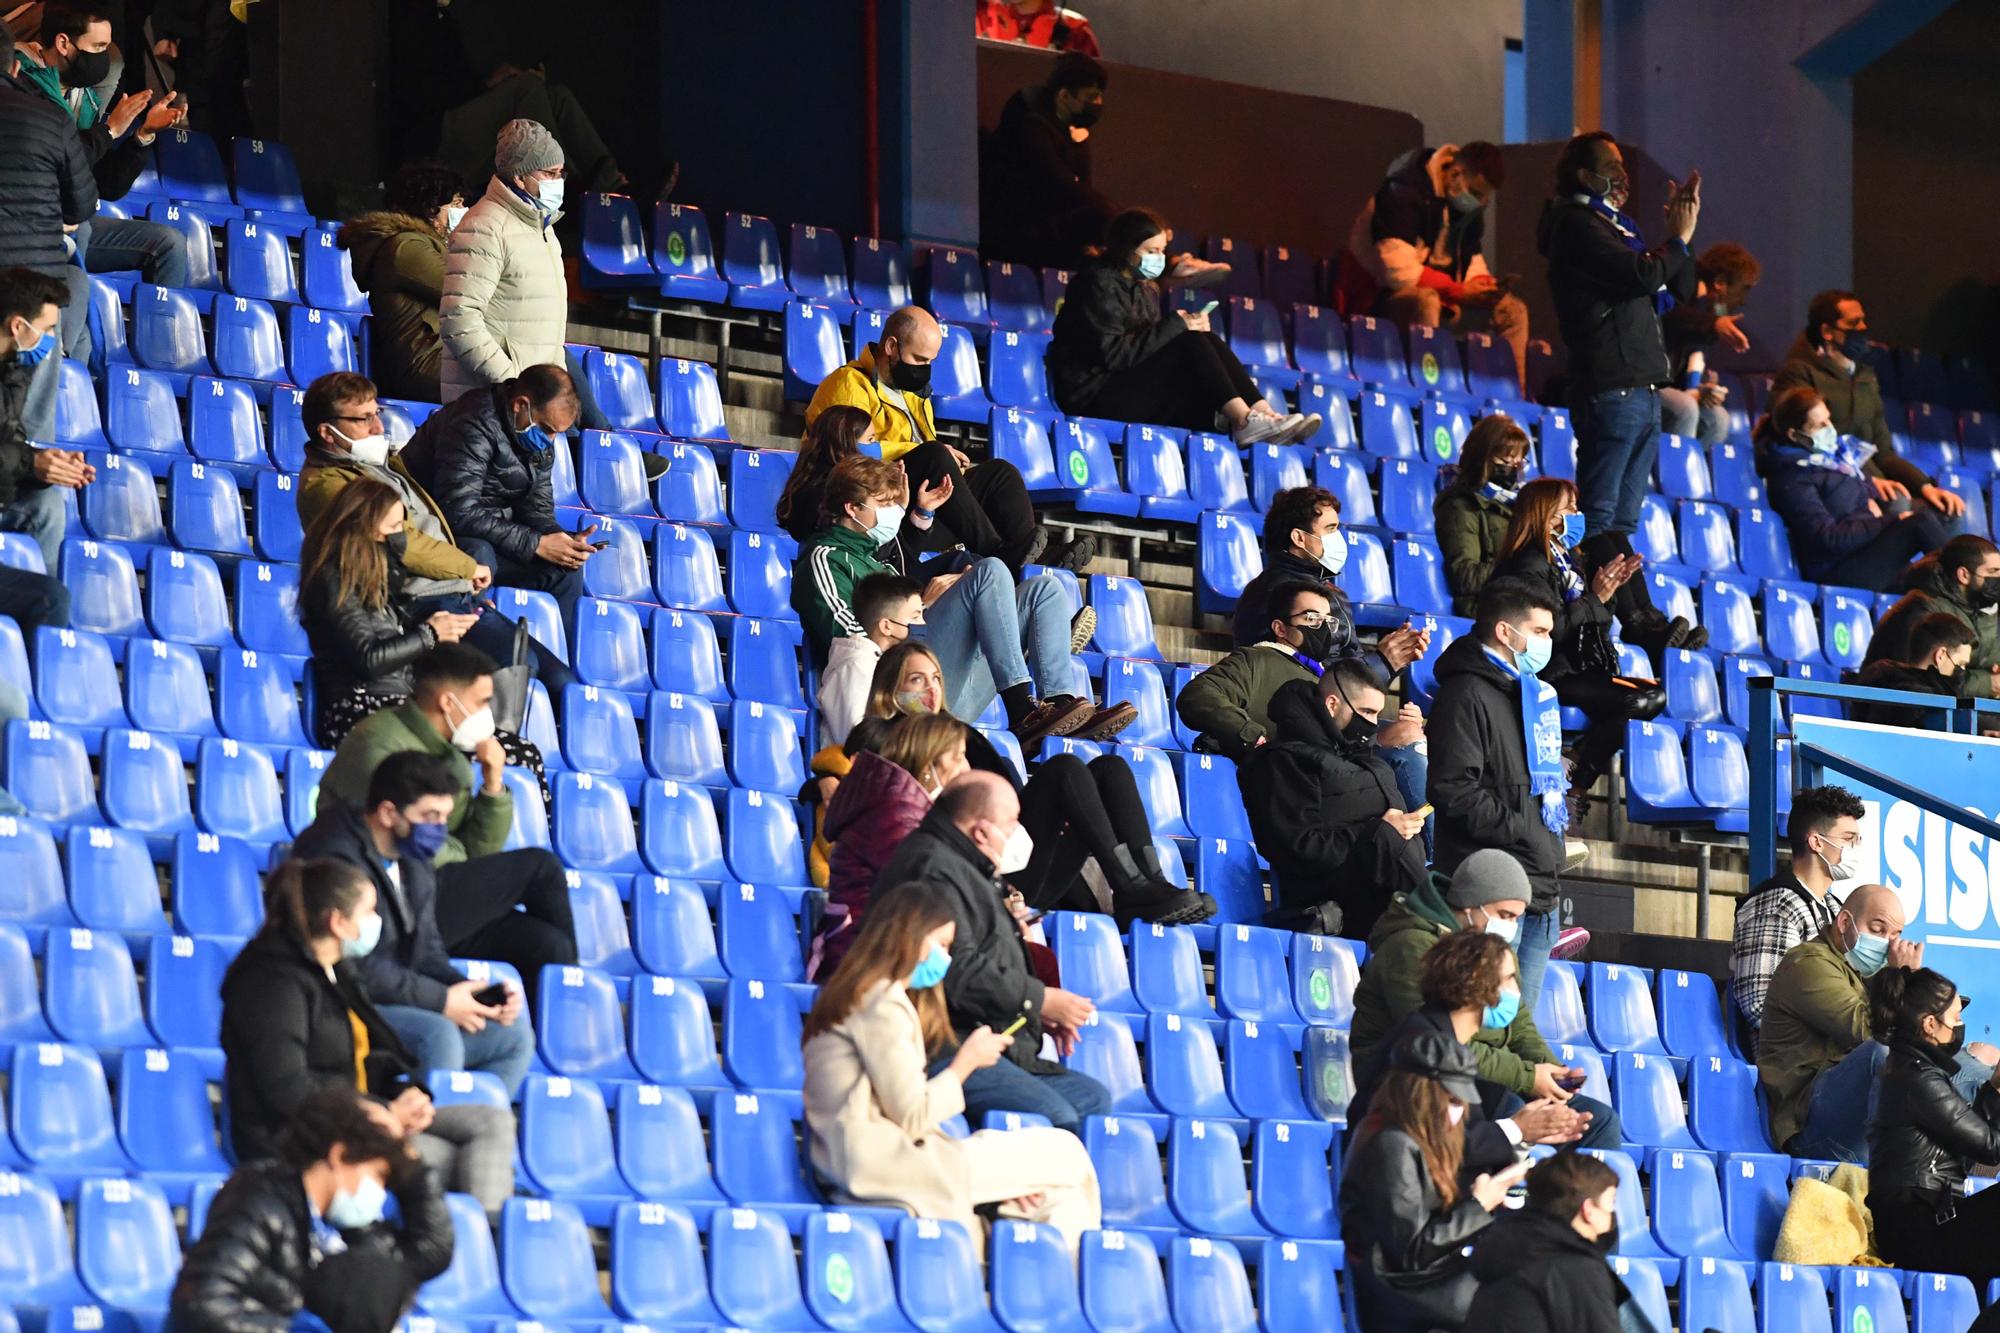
(1515, 1064)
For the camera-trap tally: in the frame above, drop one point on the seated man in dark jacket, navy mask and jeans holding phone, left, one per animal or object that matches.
(409, 976)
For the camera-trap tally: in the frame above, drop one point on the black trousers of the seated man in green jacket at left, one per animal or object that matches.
(511, 908)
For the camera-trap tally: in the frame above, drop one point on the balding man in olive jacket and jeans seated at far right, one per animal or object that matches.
(1817, 1058)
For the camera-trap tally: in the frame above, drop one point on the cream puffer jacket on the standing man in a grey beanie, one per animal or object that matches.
(507, 305)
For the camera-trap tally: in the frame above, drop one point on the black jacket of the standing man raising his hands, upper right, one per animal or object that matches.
(1605, 297)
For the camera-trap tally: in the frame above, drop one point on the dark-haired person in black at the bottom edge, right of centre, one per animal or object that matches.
(1543, 1268)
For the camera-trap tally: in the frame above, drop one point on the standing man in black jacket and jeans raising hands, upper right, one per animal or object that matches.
(1611, 293)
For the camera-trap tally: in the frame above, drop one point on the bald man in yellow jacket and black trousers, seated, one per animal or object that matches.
(987, 509)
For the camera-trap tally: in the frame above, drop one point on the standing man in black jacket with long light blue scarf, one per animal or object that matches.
(1497, 776)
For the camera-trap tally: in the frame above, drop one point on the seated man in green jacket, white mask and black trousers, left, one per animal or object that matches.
(493, 904)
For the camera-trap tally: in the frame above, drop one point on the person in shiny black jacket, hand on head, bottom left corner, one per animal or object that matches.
(301, 1240)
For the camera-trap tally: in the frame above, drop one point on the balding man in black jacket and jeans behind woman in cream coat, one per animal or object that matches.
(973, 830)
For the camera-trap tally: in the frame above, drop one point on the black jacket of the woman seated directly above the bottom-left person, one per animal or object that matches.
(287, 1034)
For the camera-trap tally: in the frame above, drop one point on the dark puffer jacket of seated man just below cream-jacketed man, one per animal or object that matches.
(487, 481)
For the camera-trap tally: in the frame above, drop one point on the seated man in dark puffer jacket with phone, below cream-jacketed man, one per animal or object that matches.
(491, 457)
